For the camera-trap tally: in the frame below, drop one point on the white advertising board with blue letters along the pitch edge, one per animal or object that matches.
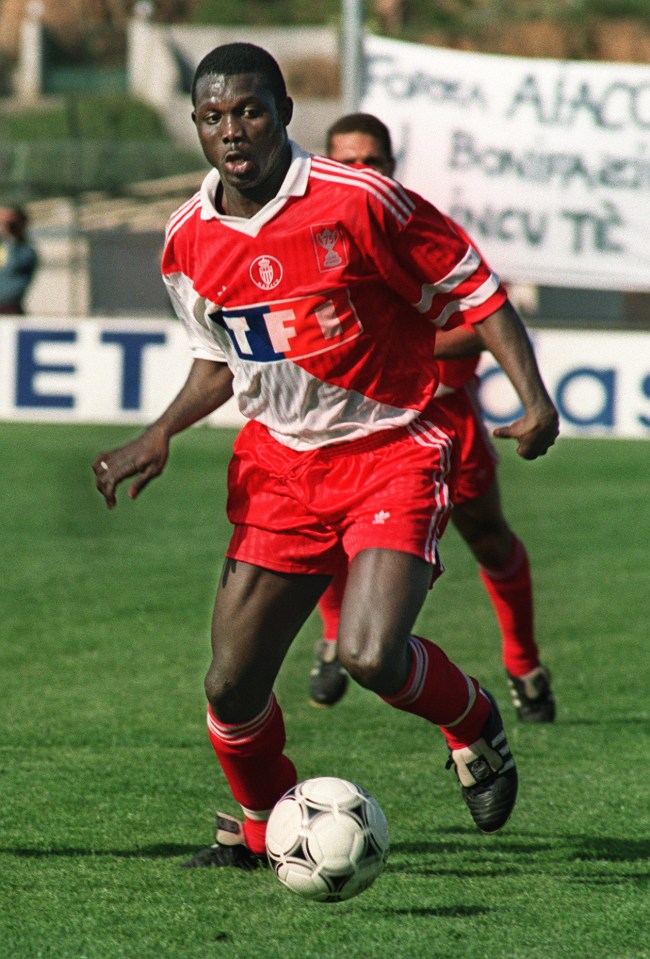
(127, 371)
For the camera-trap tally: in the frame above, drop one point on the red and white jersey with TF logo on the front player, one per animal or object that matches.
(325, 303)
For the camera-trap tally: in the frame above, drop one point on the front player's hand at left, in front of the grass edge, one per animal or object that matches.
(144, 458)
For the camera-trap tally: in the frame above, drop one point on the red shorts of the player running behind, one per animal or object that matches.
(478, 458)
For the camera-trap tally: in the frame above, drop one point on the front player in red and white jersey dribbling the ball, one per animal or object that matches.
(317, 290)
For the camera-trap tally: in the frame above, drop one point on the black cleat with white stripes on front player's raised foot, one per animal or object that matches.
(487, 774)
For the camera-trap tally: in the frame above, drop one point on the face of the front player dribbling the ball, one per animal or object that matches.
(243, 134)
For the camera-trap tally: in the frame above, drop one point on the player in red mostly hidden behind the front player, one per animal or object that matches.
(361, 138)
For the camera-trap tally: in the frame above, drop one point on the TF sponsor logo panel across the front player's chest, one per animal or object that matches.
(290, 329)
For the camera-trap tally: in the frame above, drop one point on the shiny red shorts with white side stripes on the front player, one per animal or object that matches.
(312, 512)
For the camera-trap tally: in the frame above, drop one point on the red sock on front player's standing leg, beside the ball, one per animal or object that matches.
(258, 773)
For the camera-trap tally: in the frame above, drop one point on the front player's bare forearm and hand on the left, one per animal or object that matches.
(208, 386)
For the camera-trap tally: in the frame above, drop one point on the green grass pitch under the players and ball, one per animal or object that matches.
(108, 780)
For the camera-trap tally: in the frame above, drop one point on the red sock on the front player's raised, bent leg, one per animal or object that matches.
(443, 694)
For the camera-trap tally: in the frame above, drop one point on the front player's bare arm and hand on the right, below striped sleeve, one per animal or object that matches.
(505, 336)
